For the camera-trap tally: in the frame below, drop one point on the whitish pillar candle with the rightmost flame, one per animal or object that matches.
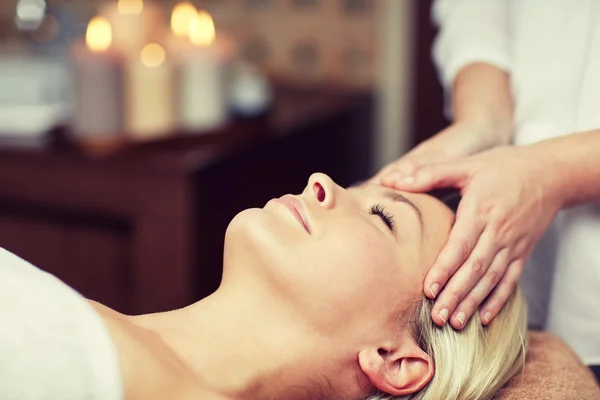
(204, 64)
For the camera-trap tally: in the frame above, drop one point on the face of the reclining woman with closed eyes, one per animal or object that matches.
(345, 260)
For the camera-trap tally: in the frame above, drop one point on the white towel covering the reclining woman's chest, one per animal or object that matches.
(53, 345)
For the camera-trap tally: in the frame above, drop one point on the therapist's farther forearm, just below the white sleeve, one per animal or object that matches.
(481, 94)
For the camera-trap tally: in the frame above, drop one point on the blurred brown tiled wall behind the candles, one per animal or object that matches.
(300, 40)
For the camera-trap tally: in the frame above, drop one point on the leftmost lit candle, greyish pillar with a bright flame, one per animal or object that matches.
(98, 82)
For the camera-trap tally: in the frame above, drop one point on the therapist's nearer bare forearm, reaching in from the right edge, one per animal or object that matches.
(573, 167)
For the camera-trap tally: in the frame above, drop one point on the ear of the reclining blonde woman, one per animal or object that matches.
(397, 369)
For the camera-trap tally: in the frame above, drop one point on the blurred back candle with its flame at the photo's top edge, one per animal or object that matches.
(134, 22)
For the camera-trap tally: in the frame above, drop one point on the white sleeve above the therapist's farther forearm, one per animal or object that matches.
(470, 31)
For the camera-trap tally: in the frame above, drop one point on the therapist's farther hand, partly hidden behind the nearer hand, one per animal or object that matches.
(460, 139)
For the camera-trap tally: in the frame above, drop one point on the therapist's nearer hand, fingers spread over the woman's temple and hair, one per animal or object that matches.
(508, 201)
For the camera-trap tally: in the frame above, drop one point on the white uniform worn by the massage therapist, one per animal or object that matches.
(551, 49)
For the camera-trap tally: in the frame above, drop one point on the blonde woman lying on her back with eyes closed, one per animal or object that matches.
(320, 299)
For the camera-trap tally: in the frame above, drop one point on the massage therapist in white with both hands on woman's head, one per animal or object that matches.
(522, 72)
